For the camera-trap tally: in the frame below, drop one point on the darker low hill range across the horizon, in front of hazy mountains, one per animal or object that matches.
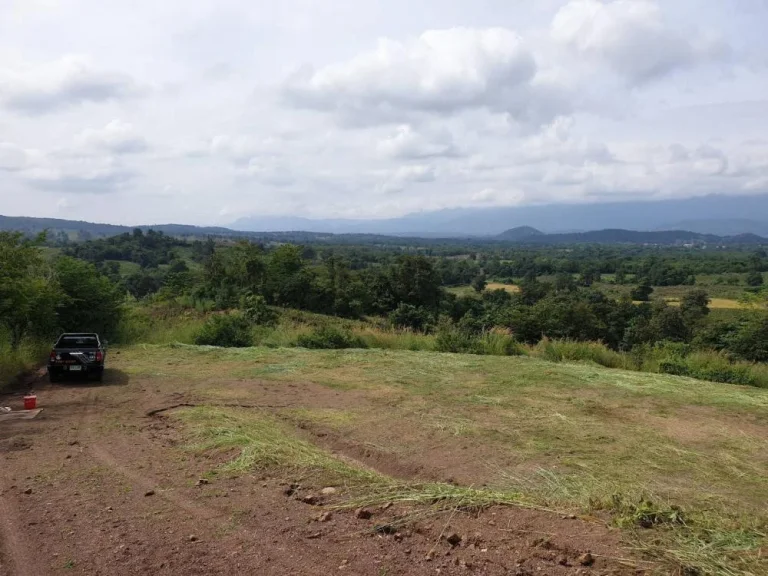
(517, 235)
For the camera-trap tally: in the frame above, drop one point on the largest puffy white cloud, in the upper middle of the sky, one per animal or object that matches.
(440, 72)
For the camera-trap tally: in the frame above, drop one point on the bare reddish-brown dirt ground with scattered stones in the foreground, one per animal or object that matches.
(98, 485)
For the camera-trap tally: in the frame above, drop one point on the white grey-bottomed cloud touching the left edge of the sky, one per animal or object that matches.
(68, 81)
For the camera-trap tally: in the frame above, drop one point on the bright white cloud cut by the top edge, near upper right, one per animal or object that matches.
(632, 38)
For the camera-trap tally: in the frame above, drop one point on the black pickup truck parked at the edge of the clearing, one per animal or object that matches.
(77, 354)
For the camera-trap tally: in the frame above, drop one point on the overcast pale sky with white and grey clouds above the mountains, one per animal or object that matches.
(203, 112)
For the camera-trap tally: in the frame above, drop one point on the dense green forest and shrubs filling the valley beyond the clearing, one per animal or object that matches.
(579, 293)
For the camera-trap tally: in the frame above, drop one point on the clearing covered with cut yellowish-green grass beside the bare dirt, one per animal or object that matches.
(688, 455)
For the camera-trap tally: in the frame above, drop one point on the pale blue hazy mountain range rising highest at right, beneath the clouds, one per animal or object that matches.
(651, 215)
